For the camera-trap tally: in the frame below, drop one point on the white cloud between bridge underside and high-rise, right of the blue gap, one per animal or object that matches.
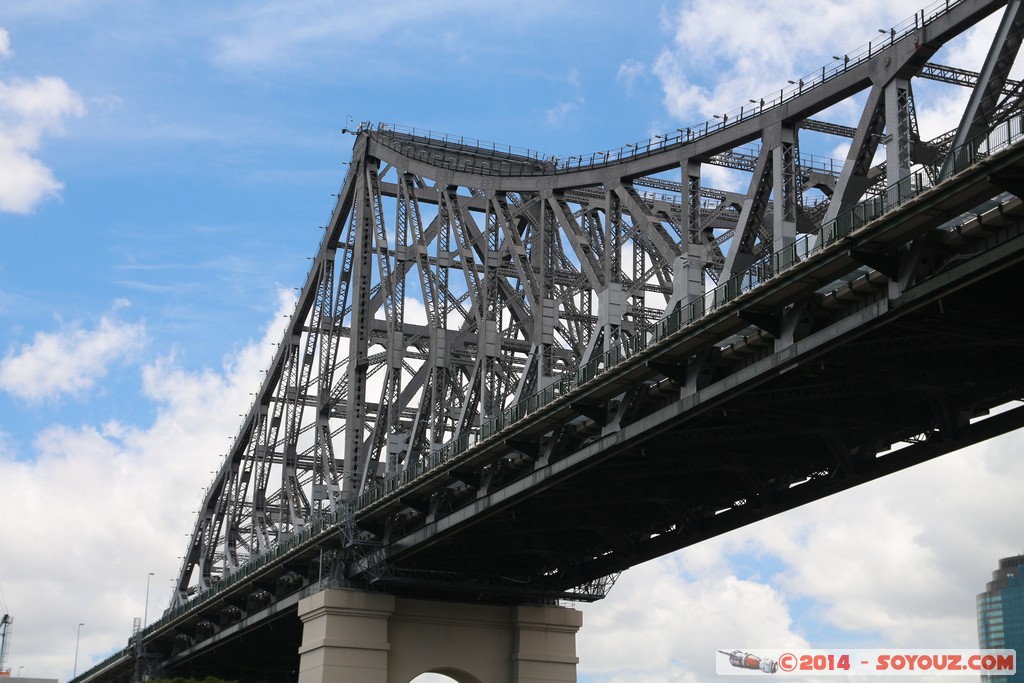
(905, 557)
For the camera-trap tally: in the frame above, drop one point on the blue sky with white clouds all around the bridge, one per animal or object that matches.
(164, 173)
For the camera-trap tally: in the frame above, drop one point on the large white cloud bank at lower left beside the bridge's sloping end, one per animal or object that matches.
(110, 503)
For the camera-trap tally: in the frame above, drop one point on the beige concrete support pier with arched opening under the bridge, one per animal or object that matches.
(357, 637)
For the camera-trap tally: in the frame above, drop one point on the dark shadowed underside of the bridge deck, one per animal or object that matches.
(826, 420)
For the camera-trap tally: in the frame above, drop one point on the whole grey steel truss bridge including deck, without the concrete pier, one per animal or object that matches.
(509, 376)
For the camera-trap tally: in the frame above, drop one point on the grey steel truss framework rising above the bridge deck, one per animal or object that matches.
(456, 279)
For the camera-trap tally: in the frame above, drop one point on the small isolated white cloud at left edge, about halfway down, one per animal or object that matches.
(70, 361)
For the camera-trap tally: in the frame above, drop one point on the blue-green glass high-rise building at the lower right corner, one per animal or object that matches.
(1001, 614)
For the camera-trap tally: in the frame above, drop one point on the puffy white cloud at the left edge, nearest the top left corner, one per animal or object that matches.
(30, 110)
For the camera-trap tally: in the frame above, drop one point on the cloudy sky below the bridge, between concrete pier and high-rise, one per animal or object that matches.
(897, 563)
